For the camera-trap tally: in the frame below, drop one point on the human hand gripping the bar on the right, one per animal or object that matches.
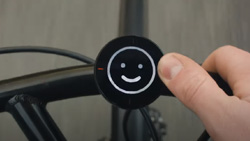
(224, 117)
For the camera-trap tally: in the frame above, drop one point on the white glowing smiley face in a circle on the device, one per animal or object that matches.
(136, 77)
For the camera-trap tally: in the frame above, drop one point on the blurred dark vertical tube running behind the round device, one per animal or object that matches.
(133, 21)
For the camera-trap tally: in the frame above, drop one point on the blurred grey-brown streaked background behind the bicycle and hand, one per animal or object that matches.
(192, 27)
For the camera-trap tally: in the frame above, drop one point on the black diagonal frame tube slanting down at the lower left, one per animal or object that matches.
(33, 118)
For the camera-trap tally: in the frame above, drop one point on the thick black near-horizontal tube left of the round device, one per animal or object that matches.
(51, 85)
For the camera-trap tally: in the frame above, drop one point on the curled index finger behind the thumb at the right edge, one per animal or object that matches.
(233, 65)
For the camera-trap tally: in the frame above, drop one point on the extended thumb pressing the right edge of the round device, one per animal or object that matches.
(192, 85)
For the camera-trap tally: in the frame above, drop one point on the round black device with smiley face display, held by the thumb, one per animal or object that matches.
(126, 72)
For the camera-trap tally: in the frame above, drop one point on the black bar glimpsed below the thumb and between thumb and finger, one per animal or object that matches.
(220, 82)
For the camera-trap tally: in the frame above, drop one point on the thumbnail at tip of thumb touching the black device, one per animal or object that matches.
(169, 67)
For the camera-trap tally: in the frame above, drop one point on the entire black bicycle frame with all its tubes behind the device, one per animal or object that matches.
(26, 97)
